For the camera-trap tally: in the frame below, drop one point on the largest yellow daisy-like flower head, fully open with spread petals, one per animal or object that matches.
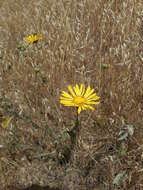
(79, 97)
